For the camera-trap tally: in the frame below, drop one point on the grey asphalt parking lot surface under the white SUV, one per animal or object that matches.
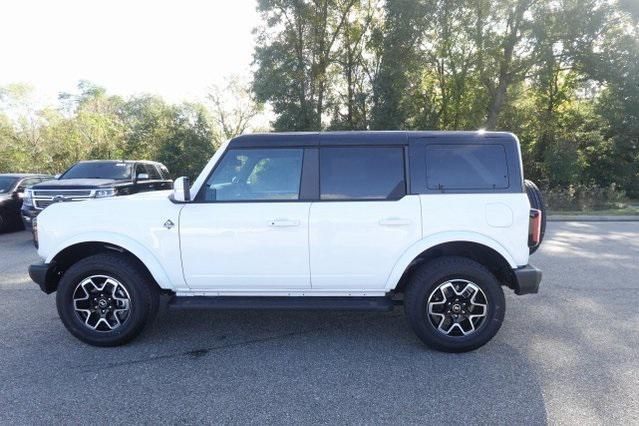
(569, 354)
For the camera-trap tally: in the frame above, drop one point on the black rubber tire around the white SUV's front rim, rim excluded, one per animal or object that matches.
(142, 292)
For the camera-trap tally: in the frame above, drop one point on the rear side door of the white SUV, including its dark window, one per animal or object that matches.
(364, 219)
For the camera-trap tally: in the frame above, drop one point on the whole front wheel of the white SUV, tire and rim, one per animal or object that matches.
(106, 299)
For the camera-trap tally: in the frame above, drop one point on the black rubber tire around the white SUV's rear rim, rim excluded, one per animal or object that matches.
(428, 278)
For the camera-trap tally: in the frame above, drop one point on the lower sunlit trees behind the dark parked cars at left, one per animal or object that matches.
(91, 124)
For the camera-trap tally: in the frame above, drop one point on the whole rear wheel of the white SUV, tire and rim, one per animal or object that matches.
(454, 304)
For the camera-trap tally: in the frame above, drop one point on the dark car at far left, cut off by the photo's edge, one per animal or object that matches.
(12, 187)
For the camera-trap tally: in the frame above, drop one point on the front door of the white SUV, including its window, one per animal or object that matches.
(247, 230)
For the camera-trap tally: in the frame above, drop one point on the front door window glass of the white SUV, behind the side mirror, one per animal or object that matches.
(256, 174)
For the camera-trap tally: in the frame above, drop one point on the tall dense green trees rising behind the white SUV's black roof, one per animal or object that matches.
(562, 74)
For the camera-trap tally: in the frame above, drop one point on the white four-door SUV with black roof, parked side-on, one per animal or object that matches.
(437, 221)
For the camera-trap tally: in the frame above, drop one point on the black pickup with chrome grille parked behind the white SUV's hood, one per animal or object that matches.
(95, 179)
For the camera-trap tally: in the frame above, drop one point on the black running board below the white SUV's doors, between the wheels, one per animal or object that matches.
(283, 303)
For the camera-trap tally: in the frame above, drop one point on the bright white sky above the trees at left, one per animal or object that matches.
(172, 48)
